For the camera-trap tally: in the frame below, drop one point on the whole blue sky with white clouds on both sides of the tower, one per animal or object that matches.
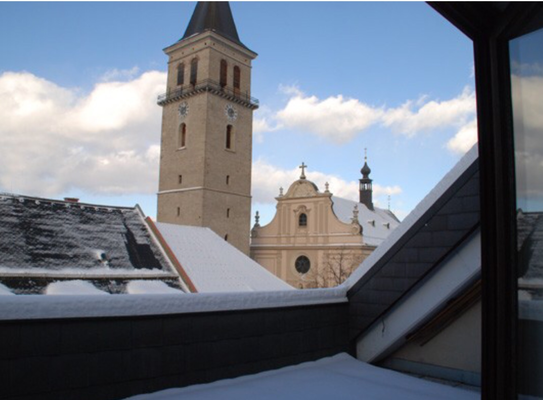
(78, 87)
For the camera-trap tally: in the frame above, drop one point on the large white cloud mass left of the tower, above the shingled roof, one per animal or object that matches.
(53, 138)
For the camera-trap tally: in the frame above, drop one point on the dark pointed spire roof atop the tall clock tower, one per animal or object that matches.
(213, 16)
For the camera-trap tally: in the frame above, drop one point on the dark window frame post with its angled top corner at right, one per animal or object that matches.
(491, 27)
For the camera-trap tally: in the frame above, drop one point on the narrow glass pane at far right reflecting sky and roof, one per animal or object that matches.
(527, 95)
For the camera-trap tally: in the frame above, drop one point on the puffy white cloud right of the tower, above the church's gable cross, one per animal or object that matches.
(335, 118)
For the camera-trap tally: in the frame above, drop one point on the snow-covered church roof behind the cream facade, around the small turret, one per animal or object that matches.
(376, 224)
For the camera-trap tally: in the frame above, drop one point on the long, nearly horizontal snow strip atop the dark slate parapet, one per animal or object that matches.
(30, 307)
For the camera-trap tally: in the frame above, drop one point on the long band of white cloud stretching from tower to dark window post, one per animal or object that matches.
(340, 119)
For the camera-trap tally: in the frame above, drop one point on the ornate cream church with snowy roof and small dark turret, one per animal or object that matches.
(317, 239)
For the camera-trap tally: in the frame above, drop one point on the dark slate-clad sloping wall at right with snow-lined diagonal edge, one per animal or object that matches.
(444, 219)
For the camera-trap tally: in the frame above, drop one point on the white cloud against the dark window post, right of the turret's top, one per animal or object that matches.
(415, 117)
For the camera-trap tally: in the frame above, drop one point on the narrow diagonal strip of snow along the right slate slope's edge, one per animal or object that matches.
(442, 186)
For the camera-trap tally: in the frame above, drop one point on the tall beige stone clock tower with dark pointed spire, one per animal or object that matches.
(207, 119)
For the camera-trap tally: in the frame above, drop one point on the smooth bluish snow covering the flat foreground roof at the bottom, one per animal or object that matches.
(337, 377)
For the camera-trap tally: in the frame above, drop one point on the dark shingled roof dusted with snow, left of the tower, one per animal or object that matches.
(46, 240)
